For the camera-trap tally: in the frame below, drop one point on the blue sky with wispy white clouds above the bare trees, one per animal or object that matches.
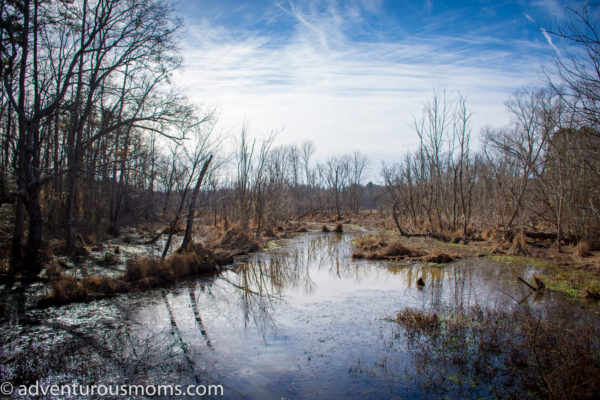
(353, 75)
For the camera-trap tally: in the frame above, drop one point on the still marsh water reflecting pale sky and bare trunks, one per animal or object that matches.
(302, 321)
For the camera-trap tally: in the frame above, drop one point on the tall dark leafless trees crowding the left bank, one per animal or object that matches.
(84, 84)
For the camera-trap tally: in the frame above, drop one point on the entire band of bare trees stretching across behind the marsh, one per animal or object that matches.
(93, 136)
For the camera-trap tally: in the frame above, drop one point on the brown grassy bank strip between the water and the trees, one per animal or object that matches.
(107, 266)
